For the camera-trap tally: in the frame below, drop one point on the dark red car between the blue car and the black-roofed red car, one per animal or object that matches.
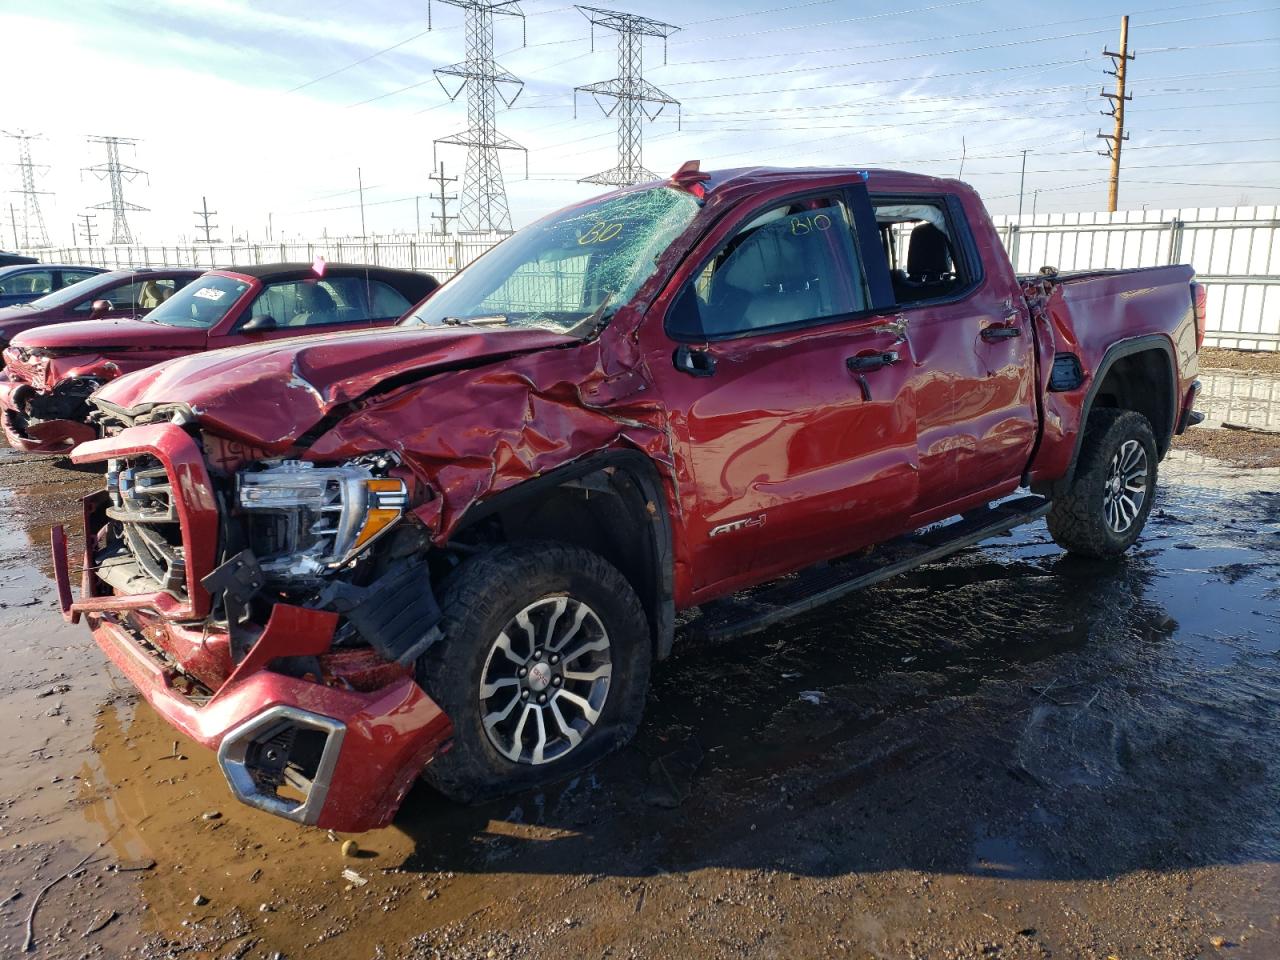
(93, 294)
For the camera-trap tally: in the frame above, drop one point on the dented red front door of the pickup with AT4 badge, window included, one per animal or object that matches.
(790, 394)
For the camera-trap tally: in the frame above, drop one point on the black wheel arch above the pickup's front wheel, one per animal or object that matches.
(612, 502)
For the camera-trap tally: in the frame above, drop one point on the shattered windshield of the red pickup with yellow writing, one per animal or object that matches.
(568, 272)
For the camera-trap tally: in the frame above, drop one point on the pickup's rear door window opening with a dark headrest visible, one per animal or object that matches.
(925, 249)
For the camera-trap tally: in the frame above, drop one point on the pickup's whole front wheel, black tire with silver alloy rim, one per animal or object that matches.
(543, 669)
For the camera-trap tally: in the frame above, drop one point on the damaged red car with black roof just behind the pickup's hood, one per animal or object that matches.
(51, 372)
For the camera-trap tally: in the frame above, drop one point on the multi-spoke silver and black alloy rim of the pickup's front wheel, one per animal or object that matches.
(546, 680)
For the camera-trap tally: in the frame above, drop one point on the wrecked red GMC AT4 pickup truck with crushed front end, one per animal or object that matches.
(728, 396)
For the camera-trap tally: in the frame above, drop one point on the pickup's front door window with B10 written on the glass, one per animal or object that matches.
(790, 266)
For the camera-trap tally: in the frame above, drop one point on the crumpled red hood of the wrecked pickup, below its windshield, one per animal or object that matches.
(269, 395)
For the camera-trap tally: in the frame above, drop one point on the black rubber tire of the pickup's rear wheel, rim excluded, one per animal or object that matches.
(1078, 520)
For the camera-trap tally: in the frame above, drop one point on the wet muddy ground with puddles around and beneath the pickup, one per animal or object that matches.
(1011, 755)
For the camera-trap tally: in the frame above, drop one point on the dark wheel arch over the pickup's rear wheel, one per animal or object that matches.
(1137, 374)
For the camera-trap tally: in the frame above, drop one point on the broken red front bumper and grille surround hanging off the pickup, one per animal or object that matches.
(337, 748)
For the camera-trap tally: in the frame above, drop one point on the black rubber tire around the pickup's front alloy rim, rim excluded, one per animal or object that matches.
(482, 600)
